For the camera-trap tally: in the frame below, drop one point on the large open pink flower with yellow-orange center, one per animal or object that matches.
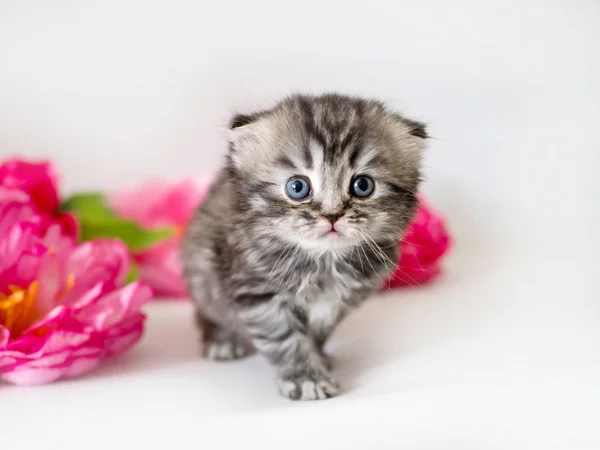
(63, 306)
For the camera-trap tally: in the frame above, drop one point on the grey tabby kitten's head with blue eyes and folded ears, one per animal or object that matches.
(326, 172)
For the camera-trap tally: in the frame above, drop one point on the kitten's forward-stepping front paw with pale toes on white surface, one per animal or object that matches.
(314, 386)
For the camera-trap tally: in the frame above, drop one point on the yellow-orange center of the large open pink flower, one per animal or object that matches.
(18, 309)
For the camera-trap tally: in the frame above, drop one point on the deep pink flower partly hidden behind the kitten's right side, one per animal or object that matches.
(425, 242)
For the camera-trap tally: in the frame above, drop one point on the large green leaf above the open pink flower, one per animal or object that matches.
(97, 220)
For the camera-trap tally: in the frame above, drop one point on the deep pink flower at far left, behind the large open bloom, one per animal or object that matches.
(40, 182)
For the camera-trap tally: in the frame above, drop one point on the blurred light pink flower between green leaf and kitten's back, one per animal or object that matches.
(156, 204)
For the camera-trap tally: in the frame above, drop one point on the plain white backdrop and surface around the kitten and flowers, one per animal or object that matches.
(503, 352)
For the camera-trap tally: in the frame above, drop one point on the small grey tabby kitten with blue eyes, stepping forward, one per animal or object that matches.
(299, 228)
